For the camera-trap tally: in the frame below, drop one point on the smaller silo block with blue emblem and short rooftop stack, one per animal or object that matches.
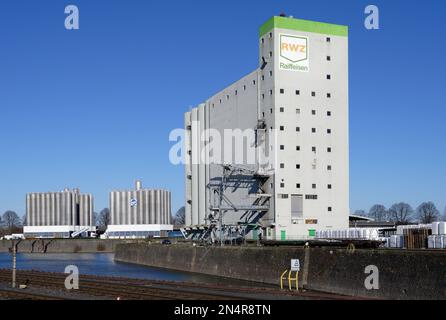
(139, 213)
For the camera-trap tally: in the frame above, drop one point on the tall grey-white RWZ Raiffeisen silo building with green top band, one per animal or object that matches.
(296, 103)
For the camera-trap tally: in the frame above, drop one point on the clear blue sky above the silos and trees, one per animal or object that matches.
(93, 108)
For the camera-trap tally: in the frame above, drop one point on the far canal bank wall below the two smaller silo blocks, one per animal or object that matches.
(62, 245)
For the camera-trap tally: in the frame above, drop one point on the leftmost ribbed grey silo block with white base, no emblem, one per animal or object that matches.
(62, 214)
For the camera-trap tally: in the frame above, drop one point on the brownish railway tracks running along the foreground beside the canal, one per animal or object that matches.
(140, 289)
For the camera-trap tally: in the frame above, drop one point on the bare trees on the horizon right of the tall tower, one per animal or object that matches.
(403, 213)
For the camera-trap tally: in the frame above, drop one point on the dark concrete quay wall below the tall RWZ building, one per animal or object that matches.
(402, 274)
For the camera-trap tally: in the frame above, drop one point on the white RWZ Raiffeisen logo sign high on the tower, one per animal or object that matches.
(294, 53)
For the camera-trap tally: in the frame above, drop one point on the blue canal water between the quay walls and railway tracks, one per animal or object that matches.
(101, 264)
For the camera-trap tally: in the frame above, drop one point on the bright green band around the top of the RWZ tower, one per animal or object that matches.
(303, 25)
